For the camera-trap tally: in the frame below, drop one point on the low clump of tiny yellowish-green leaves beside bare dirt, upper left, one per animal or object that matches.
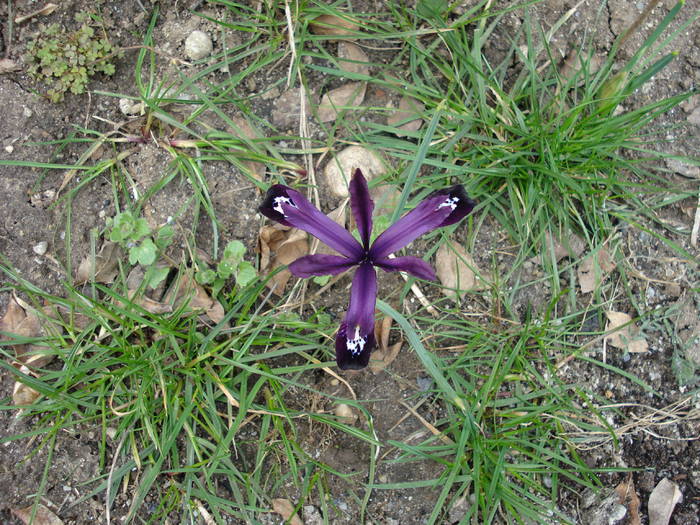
(65, 61)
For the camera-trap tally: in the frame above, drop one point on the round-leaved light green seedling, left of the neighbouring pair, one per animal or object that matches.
(134, 234)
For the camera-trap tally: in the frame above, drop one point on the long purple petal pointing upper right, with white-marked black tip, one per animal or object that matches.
(441, 208)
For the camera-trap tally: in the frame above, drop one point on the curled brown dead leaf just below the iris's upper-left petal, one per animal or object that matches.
(280, 245)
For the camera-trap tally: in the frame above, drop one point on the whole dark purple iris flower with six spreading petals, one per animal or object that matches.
(355, 338)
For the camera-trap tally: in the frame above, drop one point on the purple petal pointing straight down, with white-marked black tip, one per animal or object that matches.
(355, 338)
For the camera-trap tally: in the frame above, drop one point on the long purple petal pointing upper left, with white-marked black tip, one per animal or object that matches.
(291, 208)
